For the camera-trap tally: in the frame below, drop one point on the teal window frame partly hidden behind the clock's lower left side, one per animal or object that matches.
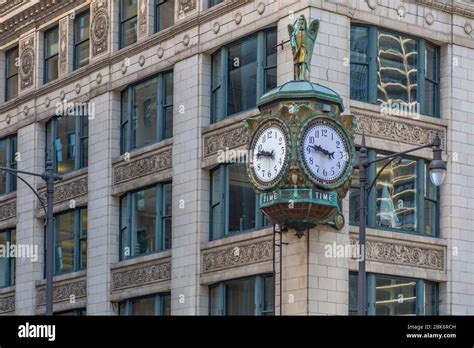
(224, 206)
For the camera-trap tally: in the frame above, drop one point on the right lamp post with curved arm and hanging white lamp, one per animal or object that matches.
(437, 170)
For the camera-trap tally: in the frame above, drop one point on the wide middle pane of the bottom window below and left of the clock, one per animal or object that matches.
(240, 297)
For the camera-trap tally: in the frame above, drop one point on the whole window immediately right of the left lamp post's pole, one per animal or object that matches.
(70, 241)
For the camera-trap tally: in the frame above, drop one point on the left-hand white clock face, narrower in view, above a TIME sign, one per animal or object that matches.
(269, 154)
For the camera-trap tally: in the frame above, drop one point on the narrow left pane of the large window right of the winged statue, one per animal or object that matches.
(359, 63)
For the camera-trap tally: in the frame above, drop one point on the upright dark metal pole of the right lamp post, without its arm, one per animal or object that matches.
(362, 277)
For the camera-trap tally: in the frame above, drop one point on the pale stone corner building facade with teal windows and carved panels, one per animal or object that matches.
(140, 103)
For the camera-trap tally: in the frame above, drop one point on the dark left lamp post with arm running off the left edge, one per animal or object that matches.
(49, 176)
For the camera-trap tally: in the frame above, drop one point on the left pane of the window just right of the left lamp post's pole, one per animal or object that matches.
(65, 242)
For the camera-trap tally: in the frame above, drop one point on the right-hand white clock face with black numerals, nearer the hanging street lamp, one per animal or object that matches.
(325, 152)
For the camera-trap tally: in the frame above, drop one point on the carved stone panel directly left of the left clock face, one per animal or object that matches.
(221, 139)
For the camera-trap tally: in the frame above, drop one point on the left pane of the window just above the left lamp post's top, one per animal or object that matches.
(65, 144)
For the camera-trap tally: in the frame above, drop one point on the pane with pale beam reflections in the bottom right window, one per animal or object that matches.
(395, 296)
